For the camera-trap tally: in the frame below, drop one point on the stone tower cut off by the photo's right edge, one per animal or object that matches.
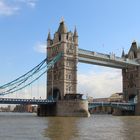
(131, 77)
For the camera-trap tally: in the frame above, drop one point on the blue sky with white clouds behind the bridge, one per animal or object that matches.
(103, 26)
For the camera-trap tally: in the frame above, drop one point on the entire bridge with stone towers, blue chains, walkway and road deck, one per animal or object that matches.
(60, 65)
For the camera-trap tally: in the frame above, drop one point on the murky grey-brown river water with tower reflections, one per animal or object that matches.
(25, 126)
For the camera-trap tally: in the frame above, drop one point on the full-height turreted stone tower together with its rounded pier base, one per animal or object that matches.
(62, 77)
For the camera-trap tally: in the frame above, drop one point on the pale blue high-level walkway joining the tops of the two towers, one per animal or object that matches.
(110, 60)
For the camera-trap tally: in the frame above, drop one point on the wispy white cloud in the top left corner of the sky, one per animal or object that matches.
(10, 7)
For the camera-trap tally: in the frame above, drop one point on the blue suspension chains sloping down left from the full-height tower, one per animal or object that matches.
(30, 77)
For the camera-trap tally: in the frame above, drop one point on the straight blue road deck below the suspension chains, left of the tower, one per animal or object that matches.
(26, 101)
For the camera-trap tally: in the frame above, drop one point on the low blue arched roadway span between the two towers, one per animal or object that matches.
(119, 105)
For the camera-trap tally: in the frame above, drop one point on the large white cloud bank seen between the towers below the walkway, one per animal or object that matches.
(100, 84)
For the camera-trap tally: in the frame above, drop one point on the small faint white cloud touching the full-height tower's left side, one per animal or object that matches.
(40, 47)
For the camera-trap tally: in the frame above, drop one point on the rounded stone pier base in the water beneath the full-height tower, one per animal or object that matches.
(65, 108)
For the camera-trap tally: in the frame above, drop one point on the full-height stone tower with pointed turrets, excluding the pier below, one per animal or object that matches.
(62, 79)
